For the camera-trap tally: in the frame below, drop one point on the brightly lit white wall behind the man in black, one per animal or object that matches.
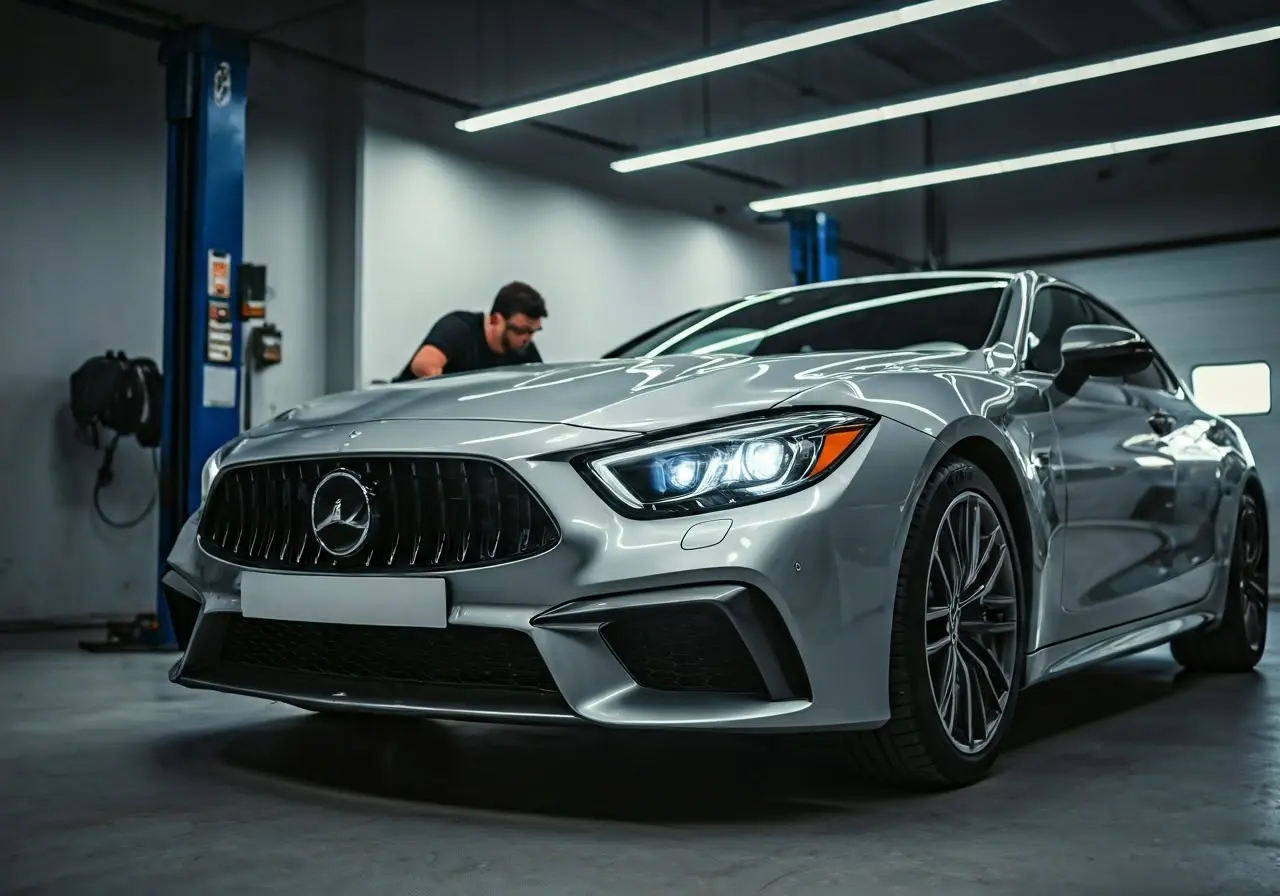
(444, 234)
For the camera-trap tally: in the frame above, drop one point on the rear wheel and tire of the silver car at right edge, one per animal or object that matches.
(1241, 639)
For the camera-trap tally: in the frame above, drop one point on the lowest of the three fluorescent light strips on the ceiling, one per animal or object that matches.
(1021, 164)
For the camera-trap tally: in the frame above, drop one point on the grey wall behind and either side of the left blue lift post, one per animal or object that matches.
(83, 167)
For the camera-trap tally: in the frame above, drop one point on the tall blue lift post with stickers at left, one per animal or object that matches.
(204, 246)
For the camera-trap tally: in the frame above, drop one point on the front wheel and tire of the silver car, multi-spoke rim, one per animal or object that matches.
(958, 648)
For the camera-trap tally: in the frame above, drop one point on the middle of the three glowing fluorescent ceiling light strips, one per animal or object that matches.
(950, 100)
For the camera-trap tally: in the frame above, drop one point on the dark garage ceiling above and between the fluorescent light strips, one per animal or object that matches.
(492, 53)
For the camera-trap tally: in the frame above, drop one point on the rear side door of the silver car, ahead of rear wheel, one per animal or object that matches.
(1187, 436)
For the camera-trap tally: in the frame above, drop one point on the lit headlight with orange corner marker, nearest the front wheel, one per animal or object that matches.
(729, 467)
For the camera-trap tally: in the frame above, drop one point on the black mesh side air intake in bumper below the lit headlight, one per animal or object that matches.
(689, 647)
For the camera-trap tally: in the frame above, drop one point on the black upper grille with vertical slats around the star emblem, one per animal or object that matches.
(429, 514)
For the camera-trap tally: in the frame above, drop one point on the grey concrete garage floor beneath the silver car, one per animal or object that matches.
(1123, 780)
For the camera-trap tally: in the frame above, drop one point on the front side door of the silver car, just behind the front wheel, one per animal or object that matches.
(1112, 555)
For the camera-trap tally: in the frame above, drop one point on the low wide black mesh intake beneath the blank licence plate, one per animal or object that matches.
(454, 657)
